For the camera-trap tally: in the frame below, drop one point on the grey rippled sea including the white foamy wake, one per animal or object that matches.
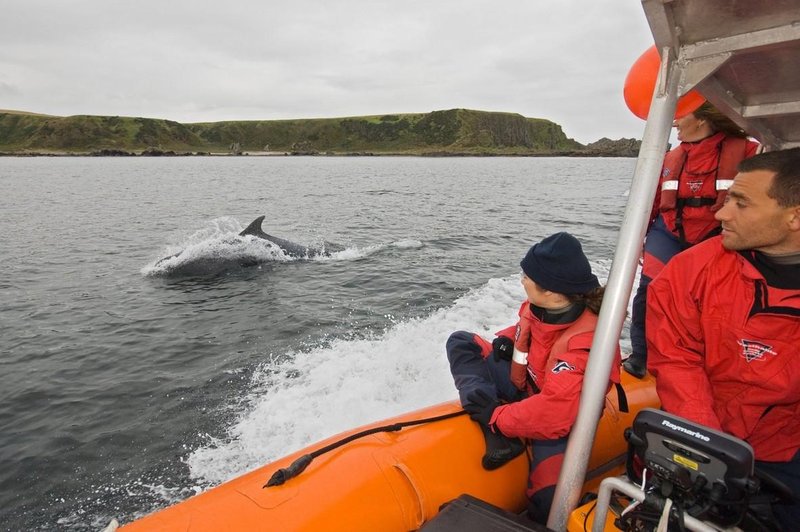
(124, 389)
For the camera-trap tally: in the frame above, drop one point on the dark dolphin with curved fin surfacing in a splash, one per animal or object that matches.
(216, 264)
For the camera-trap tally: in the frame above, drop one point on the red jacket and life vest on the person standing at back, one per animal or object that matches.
(695, 178)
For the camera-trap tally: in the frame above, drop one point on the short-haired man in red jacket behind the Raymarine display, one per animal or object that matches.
(723, 322)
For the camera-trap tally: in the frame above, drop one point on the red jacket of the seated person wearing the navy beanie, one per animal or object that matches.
(556, 363)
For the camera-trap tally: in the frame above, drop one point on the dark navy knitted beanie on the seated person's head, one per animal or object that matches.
(558, 264)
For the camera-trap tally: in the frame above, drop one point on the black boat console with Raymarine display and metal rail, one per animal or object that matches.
(685, 476)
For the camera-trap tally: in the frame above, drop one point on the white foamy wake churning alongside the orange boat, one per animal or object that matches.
(306, 395)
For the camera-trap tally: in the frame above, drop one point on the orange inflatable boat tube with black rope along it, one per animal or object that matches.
(388, 479)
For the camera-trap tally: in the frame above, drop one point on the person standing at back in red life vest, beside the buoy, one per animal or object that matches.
(694, 179)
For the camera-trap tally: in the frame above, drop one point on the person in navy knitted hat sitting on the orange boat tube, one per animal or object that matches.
(550, 344)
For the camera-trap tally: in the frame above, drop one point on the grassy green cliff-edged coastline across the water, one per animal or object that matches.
(454, 132)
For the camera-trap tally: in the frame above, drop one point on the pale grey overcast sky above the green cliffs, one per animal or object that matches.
(197, 61)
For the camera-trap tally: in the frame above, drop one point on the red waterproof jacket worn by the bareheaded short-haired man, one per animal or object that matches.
(725, 348)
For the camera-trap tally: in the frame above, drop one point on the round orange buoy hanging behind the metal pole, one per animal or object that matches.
(641, 81)
